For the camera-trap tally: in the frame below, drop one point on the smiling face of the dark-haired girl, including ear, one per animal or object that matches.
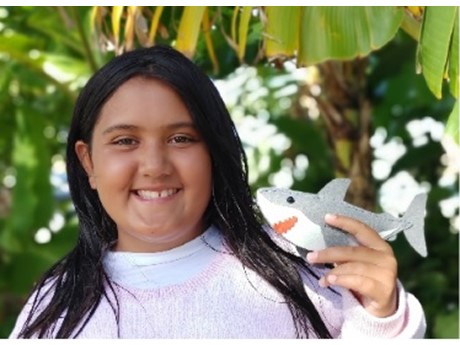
(150, 167)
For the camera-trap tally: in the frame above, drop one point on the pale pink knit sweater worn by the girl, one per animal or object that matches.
(225, 300)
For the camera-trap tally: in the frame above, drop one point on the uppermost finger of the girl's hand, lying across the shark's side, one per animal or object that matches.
(364, 234)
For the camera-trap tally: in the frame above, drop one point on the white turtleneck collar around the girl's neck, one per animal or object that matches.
(174, 266)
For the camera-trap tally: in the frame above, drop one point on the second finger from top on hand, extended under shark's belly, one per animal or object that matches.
(340, 255)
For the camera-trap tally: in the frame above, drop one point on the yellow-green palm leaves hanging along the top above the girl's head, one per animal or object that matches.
(308, 34)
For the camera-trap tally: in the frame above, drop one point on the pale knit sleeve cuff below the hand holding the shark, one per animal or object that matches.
(407, 322)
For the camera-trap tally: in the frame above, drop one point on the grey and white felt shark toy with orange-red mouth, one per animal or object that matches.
(299, 217)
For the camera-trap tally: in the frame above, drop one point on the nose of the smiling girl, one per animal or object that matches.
(154, 160)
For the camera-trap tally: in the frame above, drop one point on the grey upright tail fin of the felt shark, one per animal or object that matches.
(415, 215)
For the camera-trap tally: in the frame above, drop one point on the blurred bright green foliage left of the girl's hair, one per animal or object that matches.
(42, 65)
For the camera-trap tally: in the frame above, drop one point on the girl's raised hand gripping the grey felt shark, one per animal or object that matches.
(368, 270)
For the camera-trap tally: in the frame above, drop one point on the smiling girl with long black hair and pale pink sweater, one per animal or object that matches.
(171, 244)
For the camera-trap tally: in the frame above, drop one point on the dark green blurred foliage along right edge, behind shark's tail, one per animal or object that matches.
(399, 99)
